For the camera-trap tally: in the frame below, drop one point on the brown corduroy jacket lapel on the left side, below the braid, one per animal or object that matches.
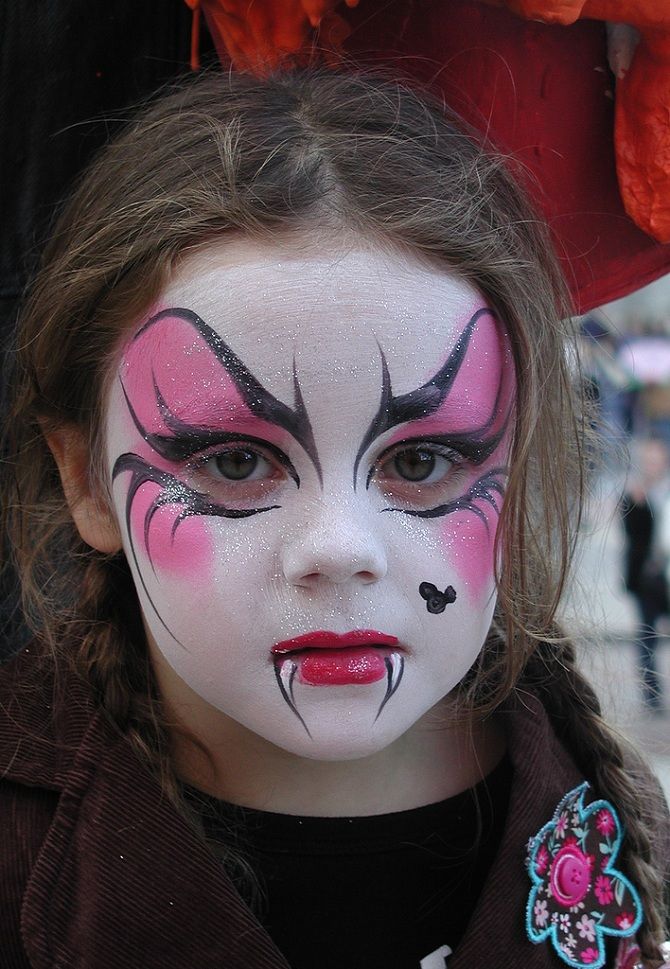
(121, 879)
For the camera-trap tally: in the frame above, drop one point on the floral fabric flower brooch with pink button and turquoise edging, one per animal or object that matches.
(578, 896)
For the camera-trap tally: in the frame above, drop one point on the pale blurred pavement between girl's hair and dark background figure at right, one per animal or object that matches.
(603, 617)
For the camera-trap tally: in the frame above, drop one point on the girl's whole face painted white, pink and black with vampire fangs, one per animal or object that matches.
(308, 452)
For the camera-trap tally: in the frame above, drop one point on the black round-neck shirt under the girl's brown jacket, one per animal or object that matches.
(391, 891)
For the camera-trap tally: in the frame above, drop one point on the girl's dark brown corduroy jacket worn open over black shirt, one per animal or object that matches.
(98, 871)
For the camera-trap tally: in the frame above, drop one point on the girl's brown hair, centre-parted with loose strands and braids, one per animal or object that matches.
(305, 150)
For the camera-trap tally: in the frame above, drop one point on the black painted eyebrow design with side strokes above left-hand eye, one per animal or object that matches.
(191, 438)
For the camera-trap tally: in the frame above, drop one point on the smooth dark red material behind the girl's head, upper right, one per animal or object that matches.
(541, 92)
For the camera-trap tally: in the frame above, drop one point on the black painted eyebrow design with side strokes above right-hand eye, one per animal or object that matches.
(425, 400)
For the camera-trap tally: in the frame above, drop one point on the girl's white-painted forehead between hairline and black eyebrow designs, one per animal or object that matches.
(326, 308)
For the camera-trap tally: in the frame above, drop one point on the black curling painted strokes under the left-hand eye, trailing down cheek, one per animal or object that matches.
(173, 492)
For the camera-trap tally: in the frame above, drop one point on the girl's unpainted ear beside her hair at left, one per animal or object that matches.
(96, 523)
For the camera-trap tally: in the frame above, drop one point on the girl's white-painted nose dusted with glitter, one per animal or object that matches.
(335, 547)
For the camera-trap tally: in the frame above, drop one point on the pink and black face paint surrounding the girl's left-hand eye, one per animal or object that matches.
(188, 394)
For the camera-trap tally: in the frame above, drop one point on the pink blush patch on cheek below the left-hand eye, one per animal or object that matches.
(186, 551)
